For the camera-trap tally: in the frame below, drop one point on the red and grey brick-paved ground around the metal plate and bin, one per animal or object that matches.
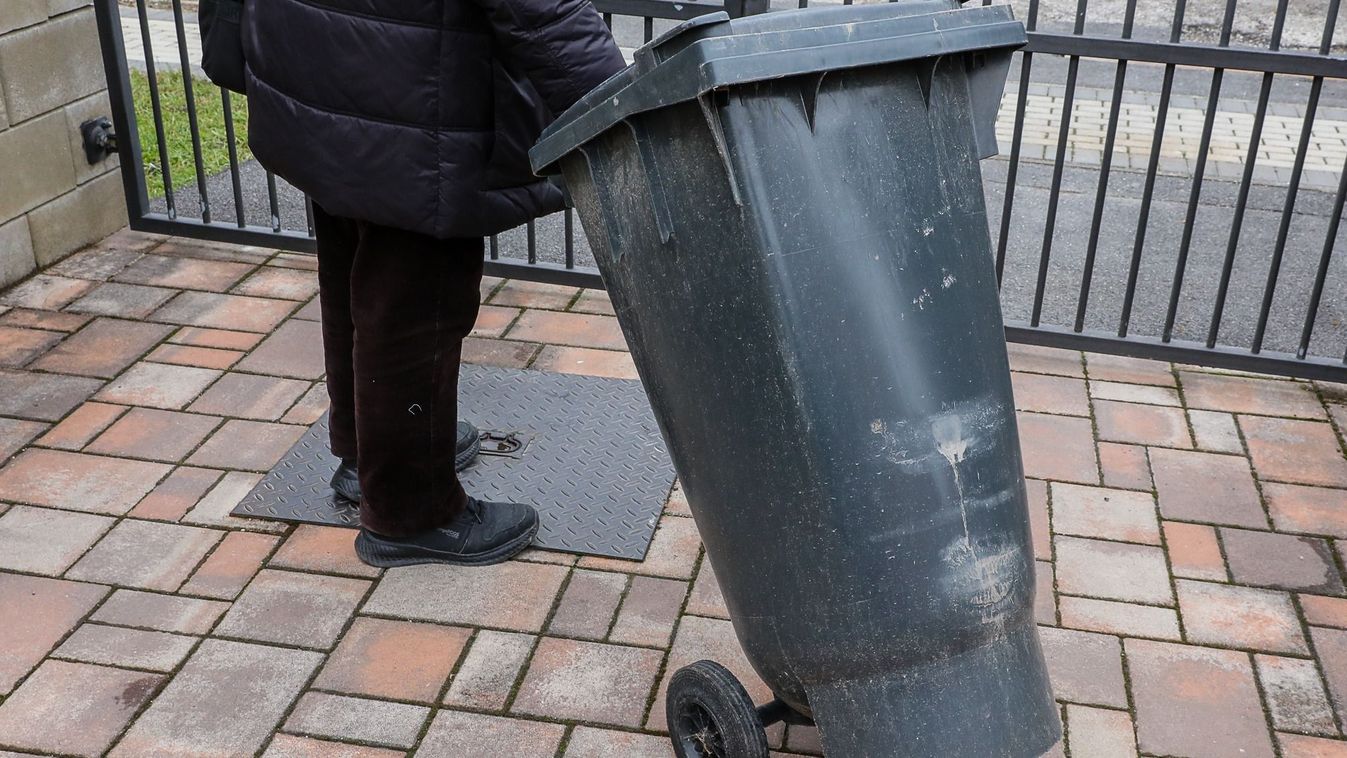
(1191, 530)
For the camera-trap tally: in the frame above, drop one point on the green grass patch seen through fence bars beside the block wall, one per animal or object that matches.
(211, 120)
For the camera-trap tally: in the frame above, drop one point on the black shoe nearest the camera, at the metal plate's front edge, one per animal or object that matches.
(484, 534)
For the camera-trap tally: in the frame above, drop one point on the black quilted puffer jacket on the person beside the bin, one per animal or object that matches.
(420, 114)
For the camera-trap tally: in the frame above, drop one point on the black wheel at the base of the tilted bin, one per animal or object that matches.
(712, 717)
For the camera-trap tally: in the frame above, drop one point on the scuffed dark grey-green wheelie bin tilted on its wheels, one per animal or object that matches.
(789, 215)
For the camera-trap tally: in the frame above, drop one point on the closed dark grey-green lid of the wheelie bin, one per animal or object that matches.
(715, 52)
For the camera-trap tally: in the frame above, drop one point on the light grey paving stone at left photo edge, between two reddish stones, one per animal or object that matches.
(40, 541)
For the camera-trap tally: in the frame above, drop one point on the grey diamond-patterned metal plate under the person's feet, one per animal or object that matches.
(595, 467)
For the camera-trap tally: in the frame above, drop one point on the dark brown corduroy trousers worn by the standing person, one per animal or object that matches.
(397, 308)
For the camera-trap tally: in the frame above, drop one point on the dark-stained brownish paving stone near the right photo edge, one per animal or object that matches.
(1284, 562)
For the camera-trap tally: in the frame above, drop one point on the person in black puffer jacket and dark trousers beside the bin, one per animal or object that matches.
(409, 125)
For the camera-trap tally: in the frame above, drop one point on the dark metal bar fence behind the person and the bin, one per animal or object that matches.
(1171, 184)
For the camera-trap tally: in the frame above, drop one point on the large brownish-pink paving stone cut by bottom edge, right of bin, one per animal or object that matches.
(1195, 702)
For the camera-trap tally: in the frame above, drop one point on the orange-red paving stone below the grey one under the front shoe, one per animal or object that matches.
(399, 660)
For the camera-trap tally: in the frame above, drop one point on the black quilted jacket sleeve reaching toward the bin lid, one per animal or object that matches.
(562, 46)
